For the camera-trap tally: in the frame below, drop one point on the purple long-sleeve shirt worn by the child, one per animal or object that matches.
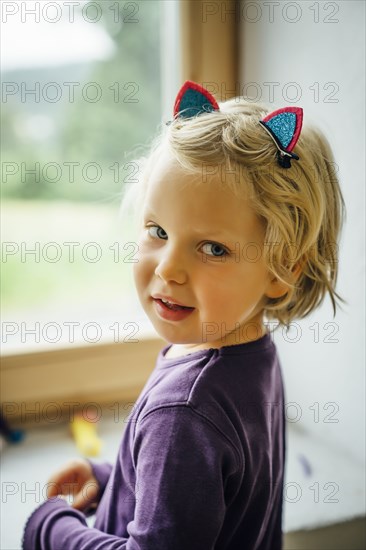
(200, 465)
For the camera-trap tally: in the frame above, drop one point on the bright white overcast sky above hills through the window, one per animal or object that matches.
(26, 43)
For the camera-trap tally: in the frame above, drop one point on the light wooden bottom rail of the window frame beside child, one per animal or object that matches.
(75, 374)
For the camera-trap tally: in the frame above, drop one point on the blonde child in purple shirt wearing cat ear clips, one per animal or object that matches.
(235, 227)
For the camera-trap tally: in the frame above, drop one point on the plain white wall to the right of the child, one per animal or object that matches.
(274, 49)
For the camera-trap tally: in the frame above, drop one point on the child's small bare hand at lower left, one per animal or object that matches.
(75, 479)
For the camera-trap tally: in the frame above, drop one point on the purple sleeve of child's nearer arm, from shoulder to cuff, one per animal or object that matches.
(180, 460)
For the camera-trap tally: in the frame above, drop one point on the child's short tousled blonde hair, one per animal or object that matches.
(301, 207)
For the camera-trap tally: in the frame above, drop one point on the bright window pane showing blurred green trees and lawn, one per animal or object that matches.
(81, 97)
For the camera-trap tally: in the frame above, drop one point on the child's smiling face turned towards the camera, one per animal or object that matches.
(201, 247)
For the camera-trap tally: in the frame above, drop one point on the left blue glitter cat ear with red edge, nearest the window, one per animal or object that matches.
(192, 100)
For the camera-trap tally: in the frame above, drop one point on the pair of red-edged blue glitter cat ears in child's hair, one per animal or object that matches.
(283, 126)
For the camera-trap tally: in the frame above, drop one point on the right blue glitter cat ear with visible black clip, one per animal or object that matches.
(284, 127)
